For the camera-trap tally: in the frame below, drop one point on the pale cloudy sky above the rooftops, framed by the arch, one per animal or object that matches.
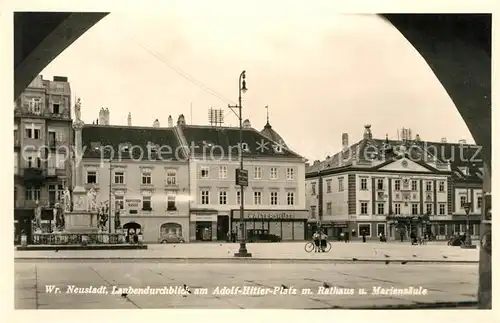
(320, 72)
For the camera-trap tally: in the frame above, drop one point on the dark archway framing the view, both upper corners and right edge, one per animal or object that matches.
(457, 47)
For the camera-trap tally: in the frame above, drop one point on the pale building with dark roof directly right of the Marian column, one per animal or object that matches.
(142, 171)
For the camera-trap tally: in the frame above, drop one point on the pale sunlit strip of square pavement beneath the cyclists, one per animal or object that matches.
(277, 251)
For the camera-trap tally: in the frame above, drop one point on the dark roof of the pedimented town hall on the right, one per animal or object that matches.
(465, 160)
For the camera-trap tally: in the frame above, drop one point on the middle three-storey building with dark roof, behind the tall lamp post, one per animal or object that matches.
(274, 200)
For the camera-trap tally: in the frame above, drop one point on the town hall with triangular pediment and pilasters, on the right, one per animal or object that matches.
(388, 187)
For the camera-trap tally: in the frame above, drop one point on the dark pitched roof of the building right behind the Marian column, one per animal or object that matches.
(96, 137)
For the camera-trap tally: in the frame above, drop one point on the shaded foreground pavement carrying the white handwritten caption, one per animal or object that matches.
(444, 283)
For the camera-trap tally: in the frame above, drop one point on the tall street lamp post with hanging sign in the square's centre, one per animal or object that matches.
(241, 174)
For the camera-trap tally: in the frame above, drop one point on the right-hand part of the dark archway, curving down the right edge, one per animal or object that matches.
(457, 47)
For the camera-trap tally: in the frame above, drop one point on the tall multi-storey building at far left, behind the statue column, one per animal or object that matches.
(43, 138)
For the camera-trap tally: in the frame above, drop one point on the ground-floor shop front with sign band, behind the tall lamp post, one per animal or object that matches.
(288, 225)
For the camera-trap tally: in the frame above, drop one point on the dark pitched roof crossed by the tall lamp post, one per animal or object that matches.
(220, 140)
